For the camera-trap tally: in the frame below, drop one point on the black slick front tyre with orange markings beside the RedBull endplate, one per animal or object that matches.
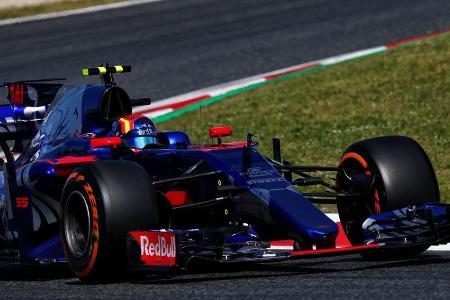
(101, 202)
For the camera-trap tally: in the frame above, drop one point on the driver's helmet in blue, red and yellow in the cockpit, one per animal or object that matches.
(137, 131)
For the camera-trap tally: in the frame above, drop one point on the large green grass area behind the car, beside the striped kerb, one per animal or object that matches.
(405, 91)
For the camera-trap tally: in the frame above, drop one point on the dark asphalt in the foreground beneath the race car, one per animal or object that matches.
(426, 277)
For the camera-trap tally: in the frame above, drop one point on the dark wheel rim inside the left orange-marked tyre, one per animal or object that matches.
(77, 224)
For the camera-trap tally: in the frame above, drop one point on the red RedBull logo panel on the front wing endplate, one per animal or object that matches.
(157, 248)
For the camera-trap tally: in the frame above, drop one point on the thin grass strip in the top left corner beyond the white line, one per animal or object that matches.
(50, 7)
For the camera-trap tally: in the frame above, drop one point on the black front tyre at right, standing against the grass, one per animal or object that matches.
(395, 172)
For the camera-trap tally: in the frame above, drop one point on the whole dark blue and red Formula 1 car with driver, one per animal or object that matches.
(82, 193)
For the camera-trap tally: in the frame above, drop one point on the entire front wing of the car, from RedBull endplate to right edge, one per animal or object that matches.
(423, 225)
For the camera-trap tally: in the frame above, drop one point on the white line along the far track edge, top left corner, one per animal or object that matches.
(87, 10)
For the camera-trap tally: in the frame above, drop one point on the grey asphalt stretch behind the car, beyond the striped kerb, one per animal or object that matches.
(178, 46)
